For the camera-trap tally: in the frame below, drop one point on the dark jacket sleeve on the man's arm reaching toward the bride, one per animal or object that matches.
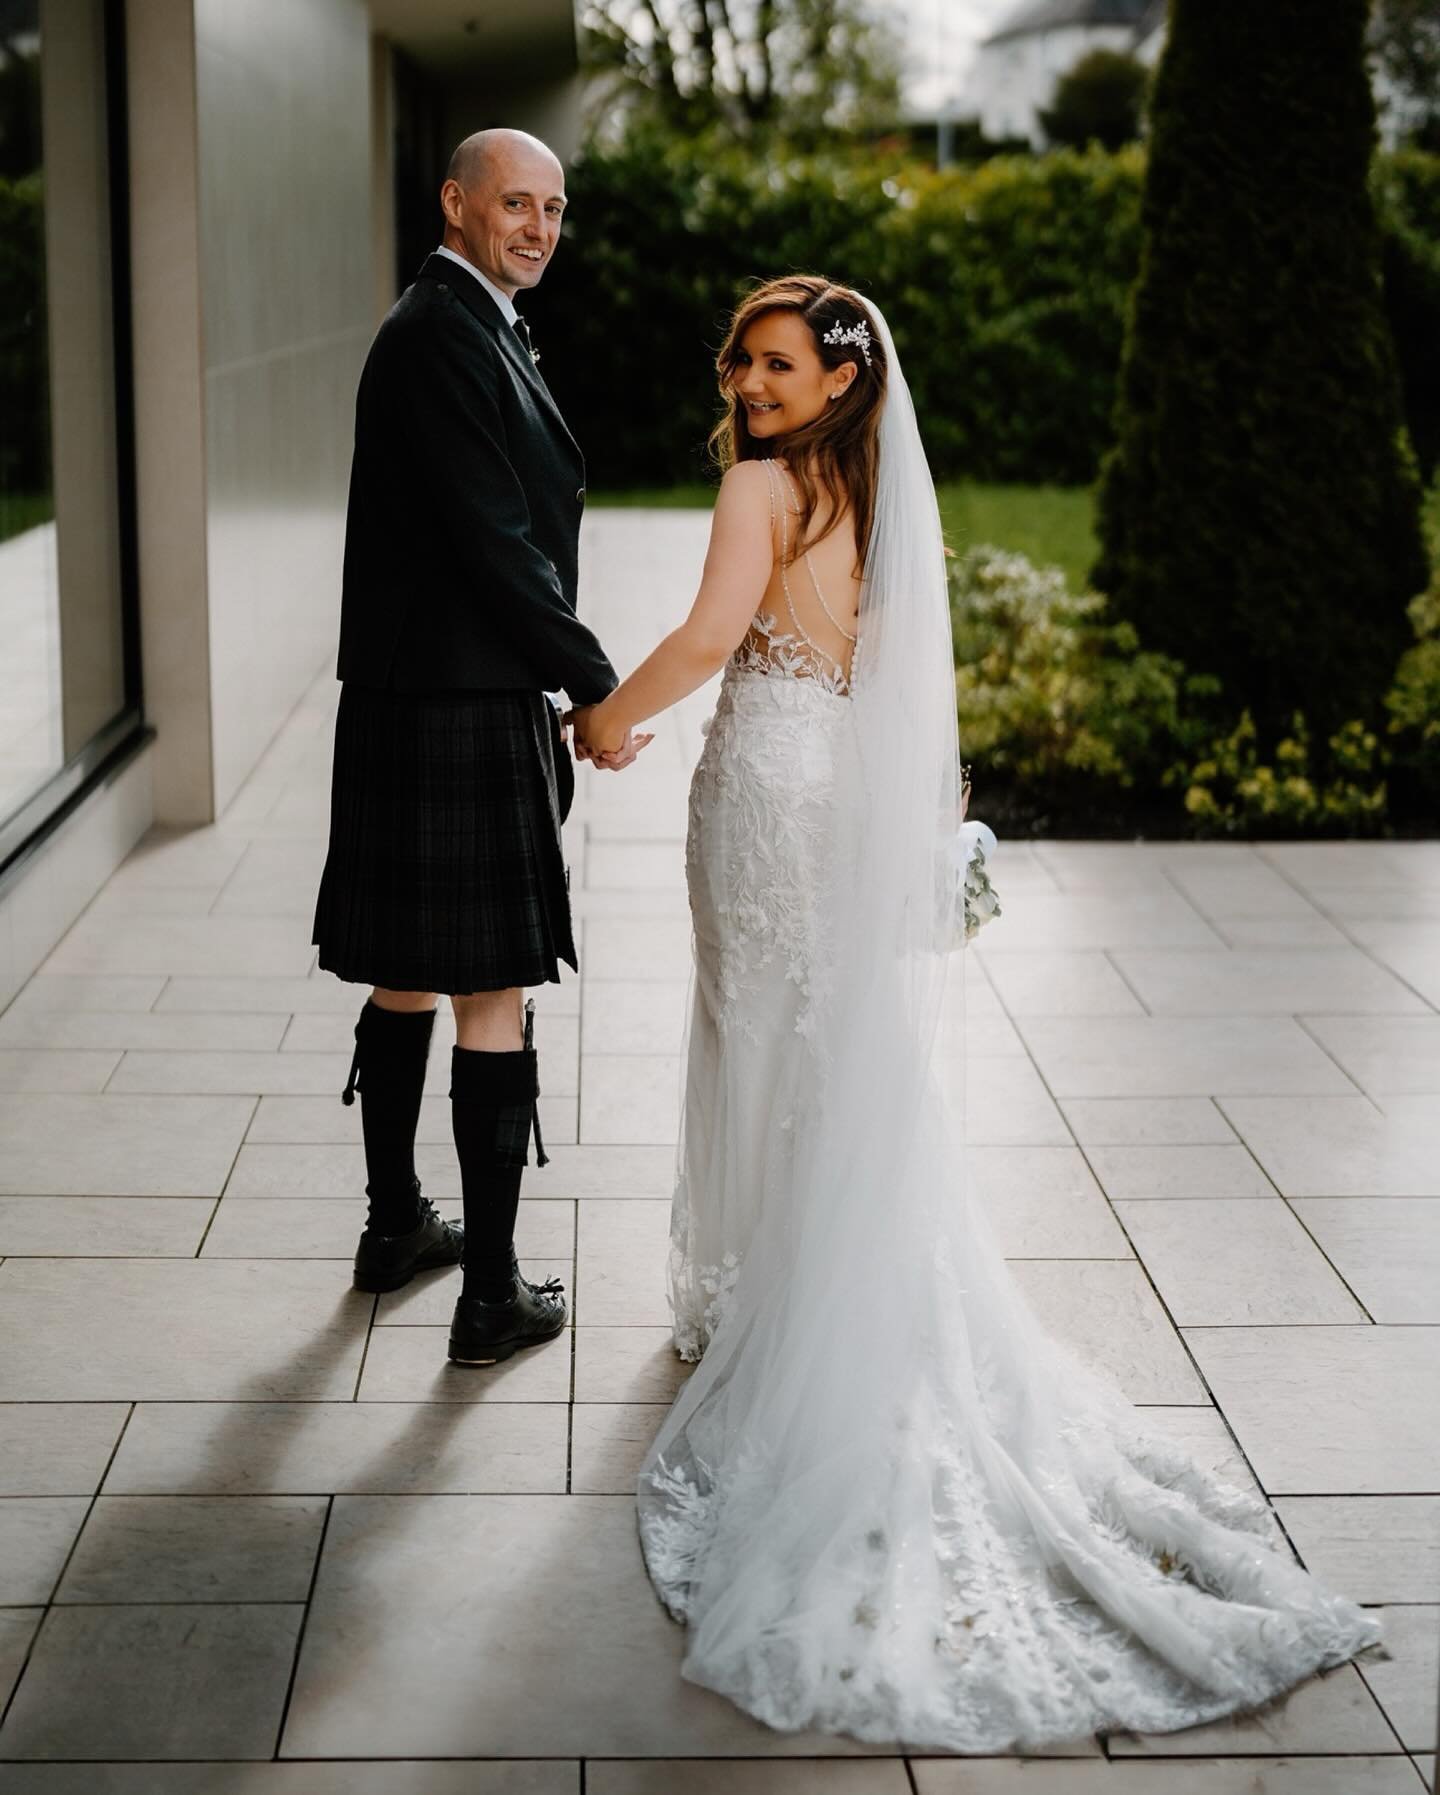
(448, 408)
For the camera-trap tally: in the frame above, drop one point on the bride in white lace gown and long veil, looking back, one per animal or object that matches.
(886, 1503)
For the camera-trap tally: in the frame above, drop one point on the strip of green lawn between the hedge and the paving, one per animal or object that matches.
(1051, 525)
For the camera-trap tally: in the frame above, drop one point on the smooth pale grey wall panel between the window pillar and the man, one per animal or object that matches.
(288, 308)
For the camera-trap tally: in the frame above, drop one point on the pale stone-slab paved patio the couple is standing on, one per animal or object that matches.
(254, 1525)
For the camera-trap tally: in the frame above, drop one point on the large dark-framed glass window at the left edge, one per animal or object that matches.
(67, 649)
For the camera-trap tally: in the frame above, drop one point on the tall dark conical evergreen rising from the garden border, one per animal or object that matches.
(1260, 516)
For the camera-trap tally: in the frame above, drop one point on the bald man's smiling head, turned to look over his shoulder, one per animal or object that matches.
(504, 197)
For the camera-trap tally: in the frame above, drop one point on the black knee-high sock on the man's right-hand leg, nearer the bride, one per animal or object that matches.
(493, 1110)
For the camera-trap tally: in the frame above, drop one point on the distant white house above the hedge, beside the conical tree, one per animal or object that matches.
(1017, 67)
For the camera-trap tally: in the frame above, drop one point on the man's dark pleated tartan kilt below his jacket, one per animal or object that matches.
(446, 870)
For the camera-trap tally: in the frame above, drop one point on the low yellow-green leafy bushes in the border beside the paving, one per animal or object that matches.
(1067, 719)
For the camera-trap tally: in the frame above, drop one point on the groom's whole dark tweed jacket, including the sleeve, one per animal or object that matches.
(466, 498)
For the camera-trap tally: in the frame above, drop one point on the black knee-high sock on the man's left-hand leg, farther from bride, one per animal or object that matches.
(389, 1071)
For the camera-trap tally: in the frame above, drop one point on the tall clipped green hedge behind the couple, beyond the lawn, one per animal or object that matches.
(1006, 285)
